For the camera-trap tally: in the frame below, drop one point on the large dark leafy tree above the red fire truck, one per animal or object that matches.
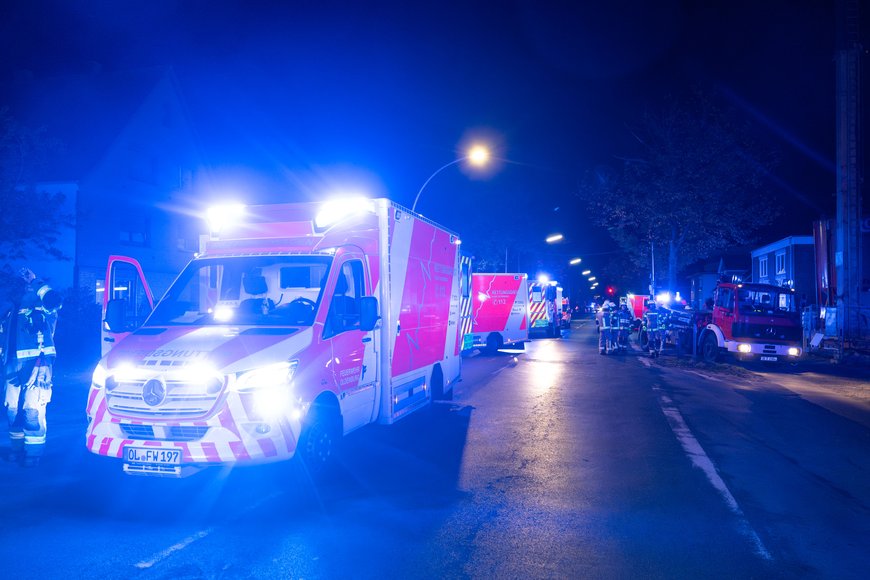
(694, 187)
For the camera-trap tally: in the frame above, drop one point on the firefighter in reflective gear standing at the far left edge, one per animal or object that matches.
(30, 355)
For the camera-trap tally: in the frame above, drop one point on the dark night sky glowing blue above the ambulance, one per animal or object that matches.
(297, 98)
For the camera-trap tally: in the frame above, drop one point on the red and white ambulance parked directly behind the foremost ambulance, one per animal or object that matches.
(499, 311)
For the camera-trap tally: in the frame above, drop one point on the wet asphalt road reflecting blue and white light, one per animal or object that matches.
(563, 464)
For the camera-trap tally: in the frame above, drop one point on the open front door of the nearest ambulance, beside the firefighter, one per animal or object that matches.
(127, 300)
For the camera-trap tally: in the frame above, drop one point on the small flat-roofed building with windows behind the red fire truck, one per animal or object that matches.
(787, 262)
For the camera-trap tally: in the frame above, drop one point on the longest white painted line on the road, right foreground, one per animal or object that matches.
(702, 461)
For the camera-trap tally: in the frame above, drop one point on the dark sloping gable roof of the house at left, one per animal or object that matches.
(85, 112)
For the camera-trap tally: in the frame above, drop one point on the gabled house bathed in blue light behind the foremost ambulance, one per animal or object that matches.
(129, 162)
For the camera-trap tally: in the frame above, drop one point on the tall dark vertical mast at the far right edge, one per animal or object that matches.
(848, 250)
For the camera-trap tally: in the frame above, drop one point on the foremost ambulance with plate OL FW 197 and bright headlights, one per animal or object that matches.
(297, 324)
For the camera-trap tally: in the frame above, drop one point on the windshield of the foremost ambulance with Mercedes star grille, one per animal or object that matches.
(245, 290)
